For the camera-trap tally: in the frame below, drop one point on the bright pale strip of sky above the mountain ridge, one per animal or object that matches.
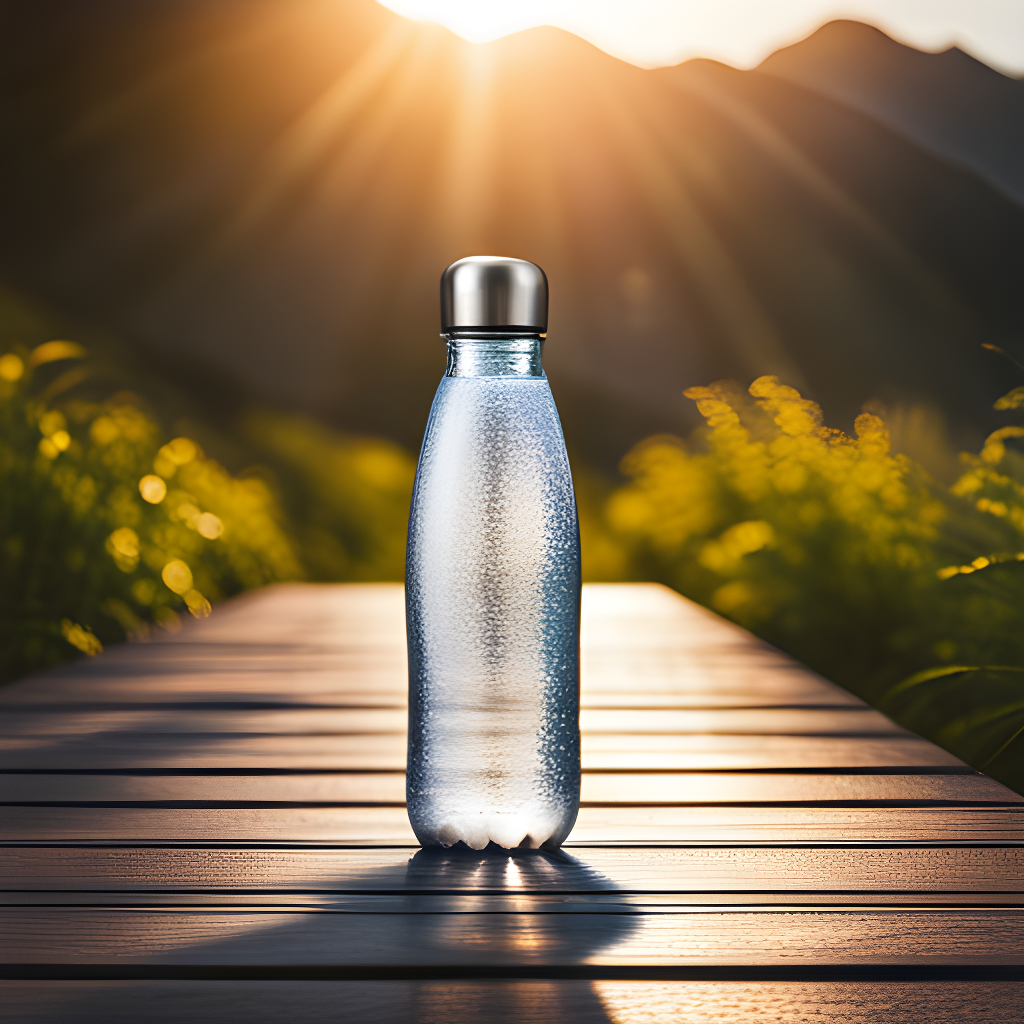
(742, 33)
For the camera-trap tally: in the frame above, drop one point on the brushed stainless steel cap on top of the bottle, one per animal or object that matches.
(494, 293)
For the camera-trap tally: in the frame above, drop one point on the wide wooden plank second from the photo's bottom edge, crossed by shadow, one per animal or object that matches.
(692, 937)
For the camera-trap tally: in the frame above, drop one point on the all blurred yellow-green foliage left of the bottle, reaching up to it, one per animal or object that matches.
(111, 527)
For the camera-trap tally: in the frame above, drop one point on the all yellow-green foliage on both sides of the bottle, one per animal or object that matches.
(829, 546)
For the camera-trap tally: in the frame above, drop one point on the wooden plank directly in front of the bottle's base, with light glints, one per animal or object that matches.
(715, 870)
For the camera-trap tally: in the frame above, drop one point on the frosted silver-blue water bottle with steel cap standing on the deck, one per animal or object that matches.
(493, 580)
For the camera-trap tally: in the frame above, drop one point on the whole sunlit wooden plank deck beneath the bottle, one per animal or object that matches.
(211, 828)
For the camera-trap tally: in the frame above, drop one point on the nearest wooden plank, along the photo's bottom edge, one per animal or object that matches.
(510, 1002)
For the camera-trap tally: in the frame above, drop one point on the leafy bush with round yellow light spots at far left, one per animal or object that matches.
(106, 531)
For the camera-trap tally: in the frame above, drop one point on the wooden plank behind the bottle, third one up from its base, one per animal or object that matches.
(388, 752)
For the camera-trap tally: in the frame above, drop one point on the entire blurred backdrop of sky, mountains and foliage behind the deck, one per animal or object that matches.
(223, 224)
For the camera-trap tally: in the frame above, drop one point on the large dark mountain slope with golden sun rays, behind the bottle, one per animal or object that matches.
(274, 189)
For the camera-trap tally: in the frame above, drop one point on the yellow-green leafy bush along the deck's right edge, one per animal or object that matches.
(839, 551)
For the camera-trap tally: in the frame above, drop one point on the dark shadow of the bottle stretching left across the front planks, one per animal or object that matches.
(459, 934)
